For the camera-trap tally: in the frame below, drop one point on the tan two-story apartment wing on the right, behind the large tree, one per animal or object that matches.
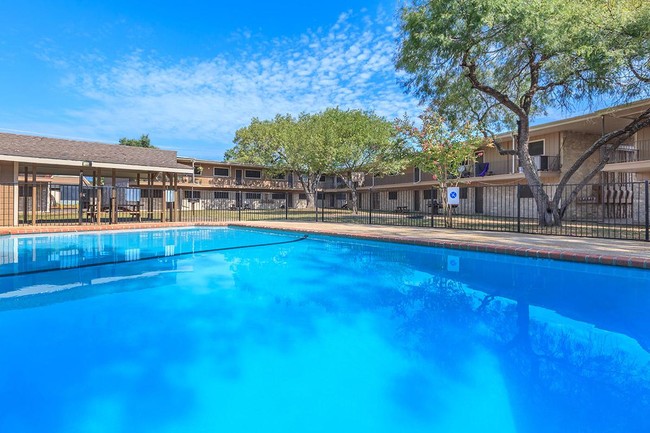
(554, 147)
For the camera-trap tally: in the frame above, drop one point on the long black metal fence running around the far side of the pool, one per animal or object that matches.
(604, 211)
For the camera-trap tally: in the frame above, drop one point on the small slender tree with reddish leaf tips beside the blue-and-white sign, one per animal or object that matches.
(442, 148)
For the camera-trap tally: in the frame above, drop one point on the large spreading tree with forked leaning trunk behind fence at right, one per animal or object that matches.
(501, 61)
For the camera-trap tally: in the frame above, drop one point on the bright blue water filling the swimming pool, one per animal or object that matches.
(176, 331)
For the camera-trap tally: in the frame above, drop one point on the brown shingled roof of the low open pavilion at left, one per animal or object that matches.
(56, 151)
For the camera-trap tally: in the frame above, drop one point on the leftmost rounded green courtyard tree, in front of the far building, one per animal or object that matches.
(285, 144)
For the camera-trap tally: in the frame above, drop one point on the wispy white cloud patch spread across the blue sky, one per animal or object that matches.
(348, 65)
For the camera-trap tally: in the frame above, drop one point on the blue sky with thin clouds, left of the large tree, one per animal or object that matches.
(190, 73)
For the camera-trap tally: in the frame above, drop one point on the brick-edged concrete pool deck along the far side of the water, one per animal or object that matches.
(585, 250)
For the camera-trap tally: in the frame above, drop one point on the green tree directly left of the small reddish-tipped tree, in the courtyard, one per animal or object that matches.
(362, 143)
